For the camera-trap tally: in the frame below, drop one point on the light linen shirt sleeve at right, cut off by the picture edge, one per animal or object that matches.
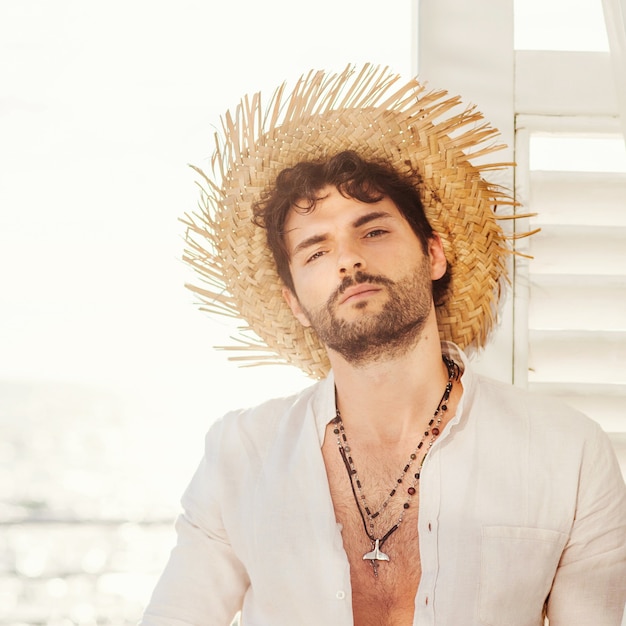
(590, 583)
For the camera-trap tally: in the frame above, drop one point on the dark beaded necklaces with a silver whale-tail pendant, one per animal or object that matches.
(431, 433)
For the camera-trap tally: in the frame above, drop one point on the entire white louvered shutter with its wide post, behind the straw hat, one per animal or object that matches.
(552, 78)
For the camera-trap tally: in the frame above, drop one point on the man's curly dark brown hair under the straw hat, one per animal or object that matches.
(367, 181)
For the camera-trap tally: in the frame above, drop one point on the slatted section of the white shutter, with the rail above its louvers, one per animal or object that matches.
(571, 297)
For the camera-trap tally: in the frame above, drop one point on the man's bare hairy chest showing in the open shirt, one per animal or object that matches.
(388, 597)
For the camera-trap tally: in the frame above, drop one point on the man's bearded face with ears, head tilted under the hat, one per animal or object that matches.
(362, 281)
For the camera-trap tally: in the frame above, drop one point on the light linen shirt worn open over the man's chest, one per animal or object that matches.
(520, 497)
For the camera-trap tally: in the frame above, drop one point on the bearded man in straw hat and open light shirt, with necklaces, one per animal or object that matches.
(358, 242)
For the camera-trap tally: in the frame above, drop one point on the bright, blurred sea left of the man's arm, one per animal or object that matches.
(86, 510)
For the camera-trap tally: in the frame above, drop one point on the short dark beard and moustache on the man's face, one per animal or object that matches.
(389, 333)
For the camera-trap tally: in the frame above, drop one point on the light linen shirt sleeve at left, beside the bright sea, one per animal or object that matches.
(204, 582)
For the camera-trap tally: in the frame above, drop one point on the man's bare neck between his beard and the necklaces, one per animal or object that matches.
(388, 401)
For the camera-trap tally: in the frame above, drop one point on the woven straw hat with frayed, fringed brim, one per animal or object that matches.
(366, 111)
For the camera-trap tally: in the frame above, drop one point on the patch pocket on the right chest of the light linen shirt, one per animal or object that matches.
(517, 568)
